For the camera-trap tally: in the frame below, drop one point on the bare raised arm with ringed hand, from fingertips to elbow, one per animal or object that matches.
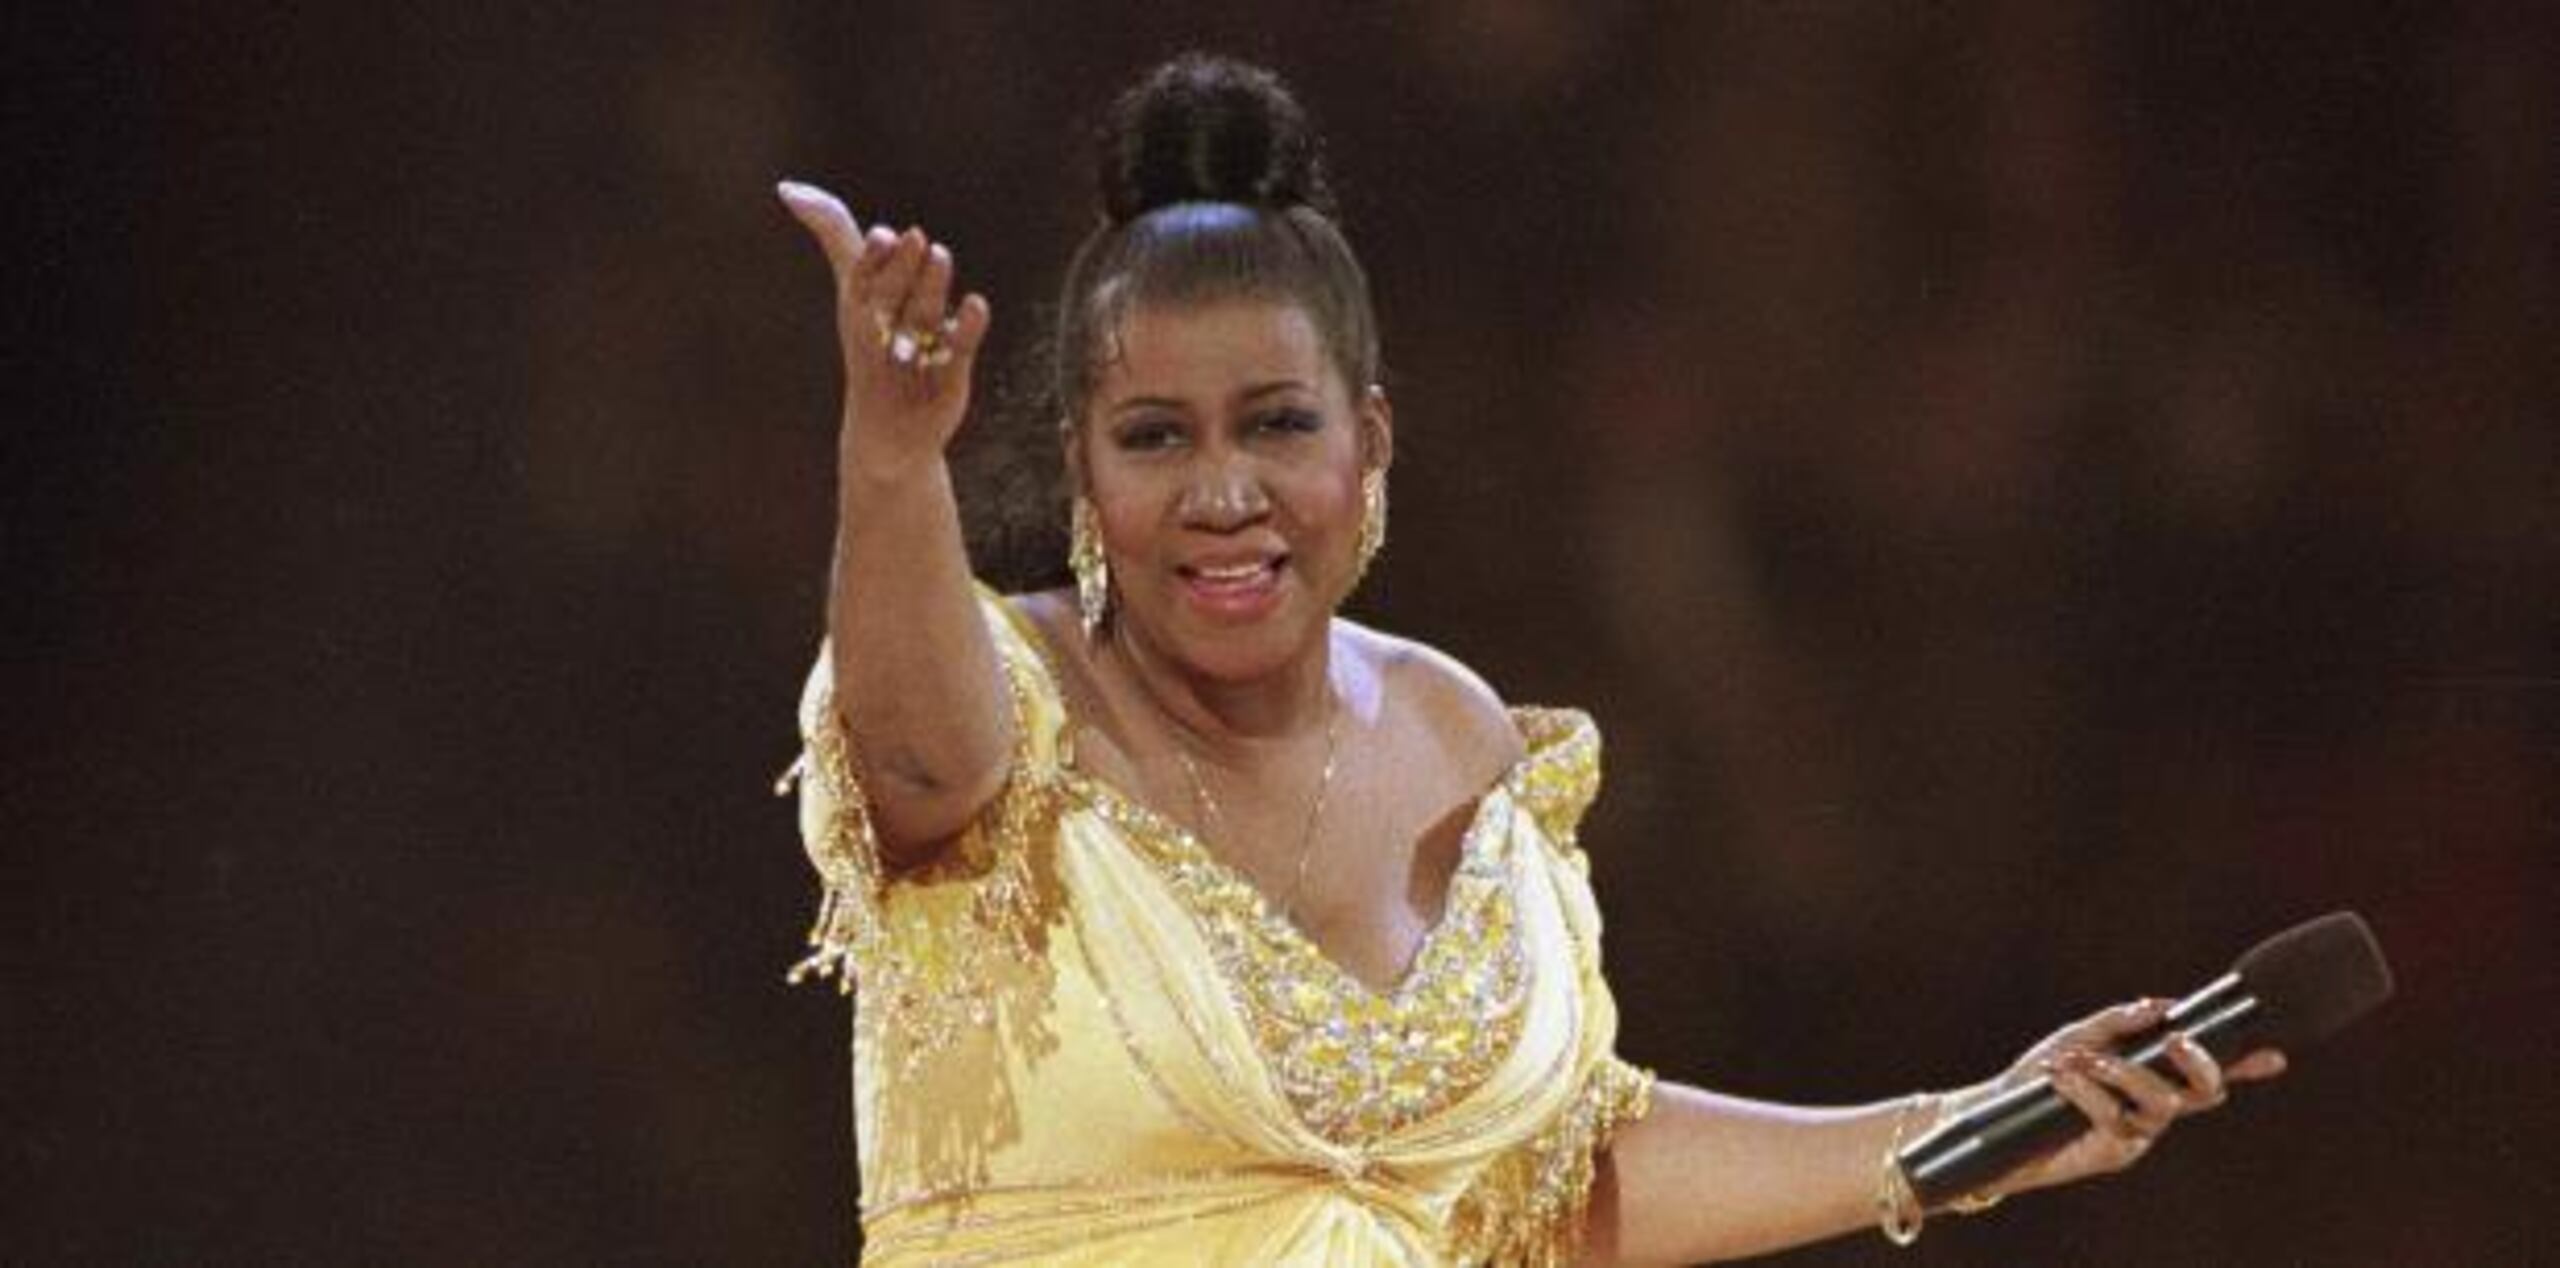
(915, 670)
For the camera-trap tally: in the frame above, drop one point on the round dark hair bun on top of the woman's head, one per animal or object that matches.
(1210, 129)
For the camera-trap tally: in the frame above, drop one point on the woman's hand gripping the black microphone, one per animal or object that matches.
(2129, 1105)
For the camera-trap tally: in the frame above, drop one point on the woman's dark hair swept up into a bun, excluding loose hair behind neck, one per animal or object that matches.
(1212, 188)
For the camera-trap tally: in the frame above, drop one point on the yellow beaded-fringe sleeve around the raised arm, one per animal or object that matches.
(920, 944)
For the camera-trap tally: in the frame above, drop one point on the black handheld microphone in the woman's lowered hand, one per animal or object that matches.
(2287, 993)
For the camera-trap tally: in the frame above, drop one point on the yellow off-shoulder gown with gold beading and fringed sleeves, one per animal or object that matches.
(1082, 1039)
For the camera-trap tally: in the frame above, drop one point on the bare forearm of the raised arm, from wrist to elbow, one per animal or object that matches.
(915, 670)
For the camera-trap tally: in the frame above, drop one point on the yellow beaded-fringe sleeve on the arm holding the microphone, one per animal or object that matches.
(1530, 1205)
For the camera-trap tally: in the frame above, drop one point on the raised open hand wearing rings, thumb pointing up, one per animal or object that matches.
(908, 350)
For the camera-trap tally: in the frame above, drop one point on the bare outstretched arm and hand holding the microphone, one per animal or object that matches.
(1709, 1177)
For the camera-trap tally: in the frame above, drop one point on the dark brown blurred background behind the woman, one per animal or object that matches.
(2036, 496)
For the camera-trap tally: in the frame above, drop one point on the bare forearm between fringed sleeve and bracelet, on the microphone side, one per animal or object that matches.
(1709, 1177)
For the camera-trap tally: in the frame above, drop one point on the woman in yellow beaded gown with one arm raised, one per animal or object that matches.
(1192, 921)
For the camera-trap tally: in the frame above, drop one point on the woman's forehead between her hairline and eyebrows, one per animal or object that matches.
(1215, 350)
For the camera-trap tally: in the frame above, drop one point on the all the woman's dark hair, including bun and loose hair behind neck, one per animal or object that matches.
(1212, 188)
